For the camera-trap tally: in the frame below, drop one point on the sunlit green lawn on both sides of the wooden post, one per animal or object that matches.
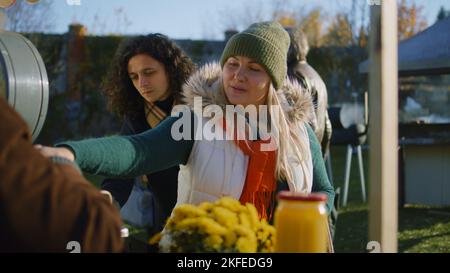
(422, 229)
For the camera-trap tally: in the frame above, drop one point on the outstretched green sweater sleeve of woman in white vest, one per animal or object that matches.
(130, 156)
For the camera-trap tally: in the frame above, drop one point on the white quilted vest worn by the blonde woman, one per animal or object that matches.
(218, 168)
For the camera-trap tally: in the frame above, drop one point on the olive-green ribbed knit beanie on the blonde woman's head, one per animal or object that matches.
(267, 43)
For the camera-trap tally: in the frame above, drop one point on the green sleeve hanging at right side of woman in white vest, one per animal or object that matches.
(321, 183)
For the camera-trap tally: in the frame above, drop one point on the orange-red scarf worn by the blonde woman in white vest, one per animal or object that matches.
(260, 182)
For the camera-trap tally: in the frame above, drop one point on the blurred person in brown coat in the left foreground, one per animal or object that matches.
(44, 205)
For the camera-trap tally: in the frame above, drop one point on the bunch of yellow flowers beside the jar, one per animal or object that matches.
(222, 226)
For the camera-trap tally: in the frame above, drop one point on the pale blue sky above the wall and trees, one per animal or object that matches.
(189, 19)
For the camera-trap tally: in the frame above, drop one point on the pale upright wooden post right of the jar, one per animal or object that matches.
(383, 91)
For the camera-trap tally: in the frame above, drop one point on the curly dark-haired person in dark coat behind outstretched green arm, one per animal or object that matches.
(143, 84)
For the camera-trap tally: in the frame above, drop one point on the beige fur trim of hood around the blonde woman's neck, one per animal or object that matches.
(206, 82)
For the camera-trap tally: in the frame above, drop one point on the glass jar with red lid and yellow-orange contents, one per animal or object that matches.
(301, 223)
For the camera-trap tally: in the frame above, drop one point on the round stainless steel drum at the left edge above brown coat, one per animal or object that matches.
(23, 79)
